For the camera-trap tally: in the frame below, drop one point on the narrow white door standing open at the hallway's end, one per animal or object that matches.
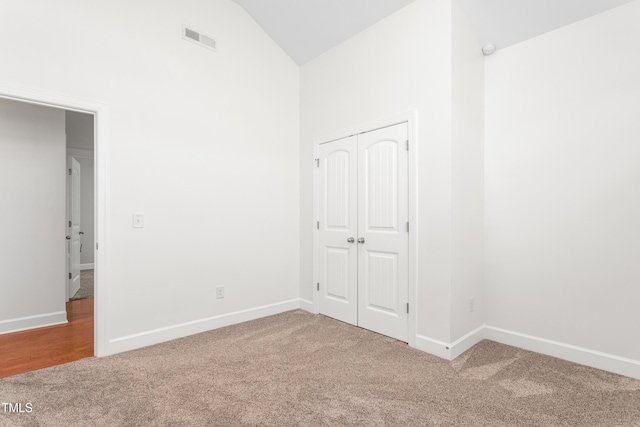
(73, 238)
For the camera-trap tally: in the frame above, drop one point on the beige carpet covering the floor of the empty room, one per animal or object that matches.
(299, 369)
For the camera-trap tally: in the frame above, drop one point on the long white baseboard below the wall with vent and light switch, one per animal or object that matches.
(156, 336)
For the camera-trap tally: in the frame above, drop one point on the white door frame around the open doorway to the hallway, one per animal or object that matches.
(100, 113)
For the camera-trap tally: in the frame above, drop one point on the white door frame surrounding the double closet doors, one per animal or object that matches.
(411, 118)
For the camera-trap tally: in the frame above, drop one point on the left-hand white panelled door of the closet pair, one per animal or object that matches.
(337, 255)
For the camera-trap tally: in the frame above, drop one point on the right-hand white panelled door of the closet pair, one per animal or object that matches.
(382, 230)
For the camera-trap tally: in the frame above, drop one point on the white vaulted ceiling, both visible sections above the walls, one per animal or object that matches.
(306, 28)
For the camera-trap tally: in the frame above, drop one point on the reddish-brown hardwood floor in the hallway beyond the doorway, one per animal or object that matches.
(54, 345)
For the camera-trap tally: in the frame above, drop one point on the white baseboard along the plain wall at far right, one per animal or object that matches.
(582, 356)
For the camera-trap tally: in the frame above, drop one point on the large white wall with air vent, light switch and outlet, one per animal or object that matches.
(204, 143)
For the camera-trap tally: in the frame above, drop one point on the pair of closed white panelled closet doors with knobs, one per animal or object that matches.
(363, 230)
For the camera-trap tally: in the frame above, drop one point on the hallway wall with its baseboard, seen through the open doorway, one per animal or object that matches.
(32, 216)
